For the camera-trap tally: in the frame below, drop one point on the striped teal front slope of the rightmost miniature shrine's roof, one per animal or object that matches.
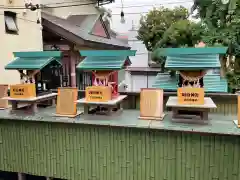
(196, 61)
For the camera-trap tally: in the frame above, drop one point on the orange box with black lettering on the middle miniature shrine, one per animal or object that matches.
(98, 94)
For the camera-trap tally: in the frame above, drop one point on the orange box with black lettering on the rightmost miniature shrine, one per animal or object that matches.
(193, 96)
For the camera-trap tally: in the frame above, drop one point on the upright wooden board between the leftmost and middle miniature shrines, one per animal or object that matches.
(66, 104)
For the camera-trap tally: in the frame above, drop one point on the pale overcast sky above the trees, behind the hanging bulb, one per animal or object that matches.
(134, 8)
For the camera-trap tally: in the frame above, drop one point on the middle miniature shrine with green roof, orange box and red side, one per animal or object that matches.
(103, 96)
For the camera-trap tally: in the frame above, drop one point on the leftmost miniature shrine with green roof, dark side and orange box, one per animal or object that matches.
(37, 71)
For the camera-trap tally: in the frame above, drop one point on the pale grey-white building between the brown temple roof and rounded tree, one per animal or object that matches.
(140, 74)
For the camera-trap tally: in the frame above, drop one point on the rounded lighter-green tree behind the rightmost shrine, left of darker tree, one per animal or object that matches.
(166, 27)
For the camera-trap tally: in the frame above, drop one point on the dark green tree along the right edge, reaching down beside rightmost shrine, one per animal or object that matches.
(223, 27)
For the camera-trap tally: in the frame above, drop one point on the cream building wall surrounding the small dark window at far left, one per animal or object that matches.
(29, 38)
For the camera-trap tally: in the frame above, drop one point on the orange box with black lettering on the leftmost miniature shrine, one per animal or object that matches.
(23, 91)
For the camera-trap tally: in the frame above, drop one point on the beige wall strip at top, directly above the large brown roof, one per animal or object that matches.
(64, 12)
